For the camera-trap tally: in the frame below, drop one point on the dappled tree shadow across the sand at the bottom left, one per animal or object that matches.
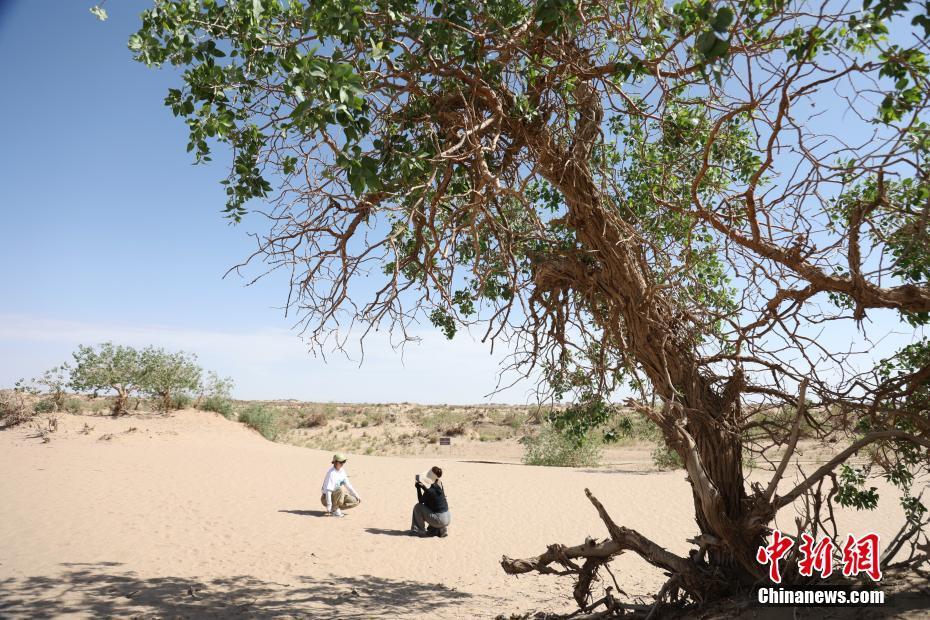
(103, 590)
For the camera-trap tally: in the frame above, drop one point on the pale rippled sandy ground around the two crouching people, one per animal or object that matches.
(196, 516)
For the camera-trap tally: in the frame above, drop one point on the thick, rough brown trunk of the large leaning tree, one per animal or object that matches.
(619, 287)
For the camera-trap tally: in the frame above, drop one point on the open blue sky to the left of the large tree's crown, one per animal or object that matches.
(107, 232)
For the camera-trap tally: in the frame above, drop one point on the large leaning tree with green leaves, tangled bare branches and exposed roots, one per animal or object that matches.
(702, 201)
